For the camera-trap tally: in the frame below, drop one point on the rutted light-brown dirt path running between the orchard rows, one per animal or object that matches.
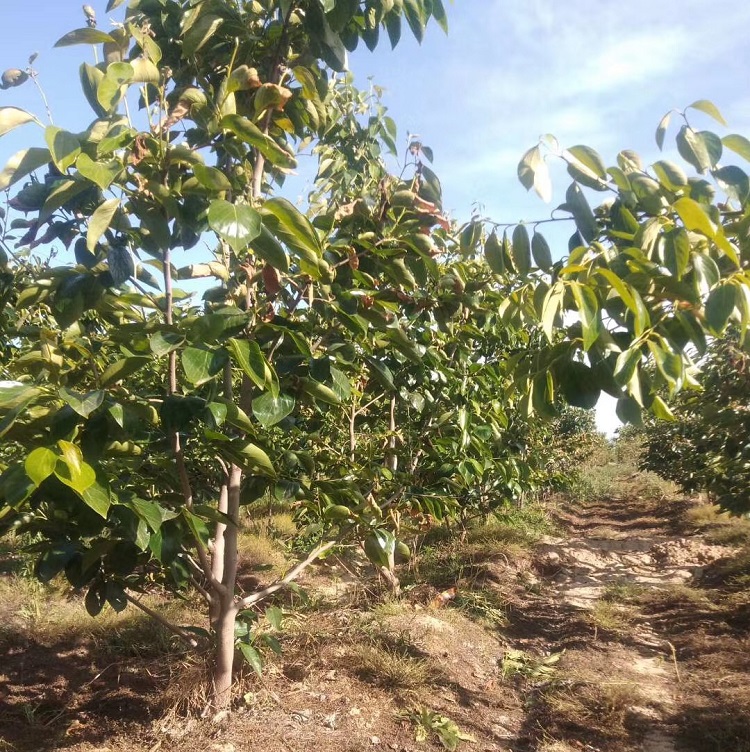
(624, 679)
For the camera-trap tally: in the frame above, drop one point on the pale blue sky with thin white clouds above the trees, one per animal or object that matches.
(595, 72)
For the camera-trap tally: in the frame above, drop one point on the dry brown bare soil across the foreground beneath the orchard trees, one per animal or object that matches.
(628, 631)
